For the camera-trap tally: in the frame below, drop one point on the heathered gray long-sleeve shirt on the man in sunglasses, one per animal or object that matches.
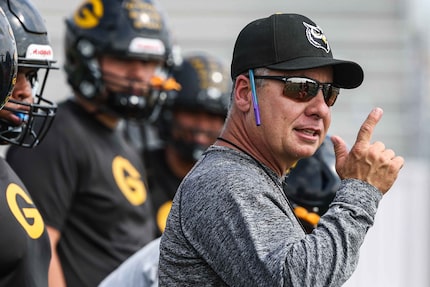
(231, 225)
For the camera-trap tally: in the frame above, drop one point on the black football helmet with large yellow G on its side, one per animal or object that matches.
(131, 29)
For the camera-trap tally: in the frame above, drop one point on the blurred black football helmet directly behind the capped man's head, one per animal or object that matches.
(205, 87)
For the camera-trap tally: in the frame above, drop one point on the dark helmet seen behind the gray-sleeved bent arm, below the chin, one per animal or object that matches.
(312, 184)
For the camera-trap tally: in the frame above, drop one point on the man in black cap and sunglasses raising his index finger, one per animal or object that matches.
(231, 223)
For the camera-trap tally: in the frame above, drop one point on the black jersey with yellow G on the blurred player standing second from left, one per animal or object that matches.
(89, 184)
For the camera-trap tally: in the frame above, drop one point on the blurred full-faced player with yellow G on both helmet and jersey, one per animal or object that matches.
(87, 181)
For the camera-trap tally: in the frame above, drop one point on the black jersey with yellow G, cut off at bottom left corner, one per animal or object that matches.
(24, 243)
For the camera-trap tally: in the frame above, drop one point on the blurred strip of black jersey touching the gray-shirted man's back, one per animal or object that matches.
(163, 184)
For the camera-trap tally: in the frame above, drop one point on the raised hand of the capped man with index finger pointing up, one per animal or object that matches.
(372, 163)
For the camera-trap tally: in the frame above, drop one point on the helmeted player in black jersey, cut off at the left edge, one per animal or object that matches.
(24, 242)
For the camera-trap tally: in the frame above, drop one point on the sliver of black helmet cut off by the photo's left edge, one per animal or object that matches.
(8, 60)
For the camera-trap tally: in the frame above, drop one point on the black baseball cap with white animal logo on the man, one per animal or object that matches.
(290, 42)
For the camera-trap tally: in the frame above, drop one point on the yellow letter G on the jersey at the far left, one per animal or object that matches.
(29, 217)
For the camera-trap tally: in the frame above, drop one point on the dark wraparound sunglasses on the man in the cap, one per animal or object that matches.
(304, 89)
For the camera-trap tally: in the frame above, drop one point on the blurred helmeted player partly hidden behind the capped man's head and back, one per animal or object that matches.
(190, 122)
